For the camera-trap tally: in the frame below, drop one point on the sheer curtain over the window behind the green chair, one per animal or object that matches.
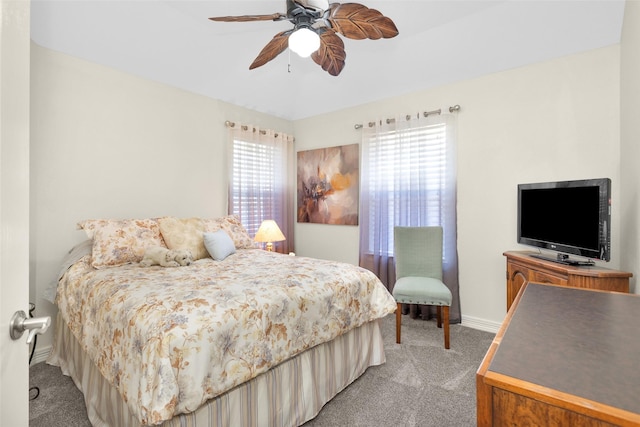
(408, 173)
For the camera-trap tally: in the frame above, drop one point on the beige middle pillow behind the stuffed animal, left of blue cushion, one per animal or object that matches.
(185, 233)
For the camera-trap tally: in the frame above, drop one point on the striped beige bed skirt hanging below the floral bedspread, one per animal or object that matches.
(287, 395)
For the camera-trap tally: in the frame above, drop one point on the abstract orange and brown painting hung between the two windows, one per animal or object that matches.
(328, 185)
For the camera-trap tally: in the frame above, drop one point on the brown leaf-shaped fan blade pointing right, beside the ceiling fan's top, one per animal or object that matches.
(356, 21)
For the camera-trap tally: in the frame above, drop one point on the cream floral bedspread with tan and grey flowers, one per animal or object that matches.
(171, 338)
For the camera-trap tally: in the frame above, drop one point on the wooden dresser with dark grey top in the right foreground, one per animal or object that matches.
(563, 357)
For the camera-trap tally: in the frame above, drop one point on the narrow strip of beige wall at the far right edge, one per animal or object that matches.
(630, 140)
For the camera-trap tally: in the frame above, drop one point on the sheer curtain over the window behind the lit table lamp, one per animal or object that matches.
(260, 182)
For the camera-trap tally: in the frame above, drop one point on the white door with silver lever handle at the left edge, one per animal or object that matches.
(14, 208)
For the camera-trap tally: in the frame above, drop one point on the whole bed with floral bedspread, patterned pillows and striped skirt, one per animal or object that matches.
(255, 338)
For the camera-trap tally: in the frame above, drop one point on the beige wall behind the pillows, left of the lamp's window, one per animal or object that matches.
(105, 144)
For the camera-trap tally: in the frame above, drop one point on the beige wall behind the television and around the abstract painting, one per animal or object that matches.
(555, 120)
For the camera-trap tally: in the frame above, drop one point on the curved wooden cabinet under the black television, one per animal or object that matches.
(523, 267)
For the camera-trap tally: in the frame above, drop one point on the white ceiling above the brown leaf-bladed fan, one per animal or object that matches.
(440, 41)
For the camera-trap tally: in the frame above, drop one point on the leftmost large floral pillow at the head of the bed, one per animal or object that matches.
(118, 242)
